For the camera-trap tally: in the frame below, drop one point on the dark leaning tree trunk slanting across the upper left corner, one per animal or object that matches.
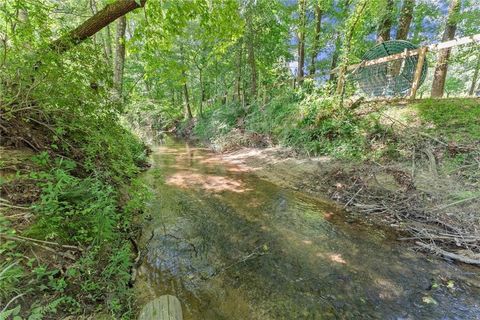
(97, 22)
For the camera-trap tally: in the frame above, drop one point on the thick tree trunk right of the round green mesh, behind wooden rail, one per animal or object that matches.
(444, 54)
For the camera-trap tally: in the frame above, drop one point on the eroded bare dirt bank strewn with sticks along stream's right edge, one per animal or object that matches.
(384, 195)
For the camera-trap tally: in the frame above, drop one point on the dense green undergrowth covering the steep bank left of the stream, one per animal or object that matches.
(69, 193)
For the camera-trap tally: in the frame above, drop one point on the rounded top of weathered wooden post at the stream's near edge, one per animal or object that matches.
(166, 307)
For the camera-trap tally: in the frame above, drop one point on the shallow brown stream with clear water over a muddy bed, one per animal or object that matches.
(231, 245)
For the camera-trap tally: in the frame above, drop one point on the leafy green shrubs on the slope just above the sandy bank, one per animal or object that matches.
(315, 124)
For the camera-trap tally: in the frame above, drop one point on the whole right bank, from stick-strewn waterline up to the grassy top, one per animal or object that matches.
(428, 192)
